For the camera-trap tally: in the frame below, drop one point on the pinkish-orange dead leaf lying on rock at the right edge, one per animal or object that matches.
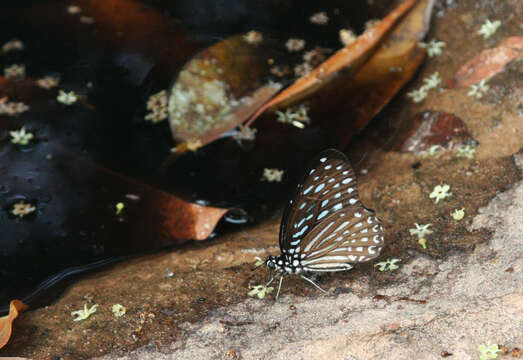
(489, 62)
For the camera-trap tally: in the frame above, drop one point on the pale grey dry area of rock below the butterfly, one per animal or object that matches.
(449, 306)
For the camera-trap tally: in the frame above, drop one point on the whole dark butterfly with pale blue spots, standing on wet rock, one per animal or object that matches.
(325, 227)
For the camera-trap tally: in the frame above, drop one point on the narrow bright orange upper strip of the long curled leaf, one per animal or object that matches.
(350, 58)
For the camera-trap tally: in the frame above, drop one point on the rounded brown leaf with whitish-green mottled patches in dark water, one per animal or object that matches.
(218, 89)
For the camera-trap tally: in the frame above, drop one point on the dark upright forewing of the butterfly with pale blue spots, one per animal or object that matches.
(329, 187)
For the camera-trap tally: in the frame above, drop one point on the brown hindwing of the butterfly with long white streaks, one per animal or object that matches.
(350, 236)
